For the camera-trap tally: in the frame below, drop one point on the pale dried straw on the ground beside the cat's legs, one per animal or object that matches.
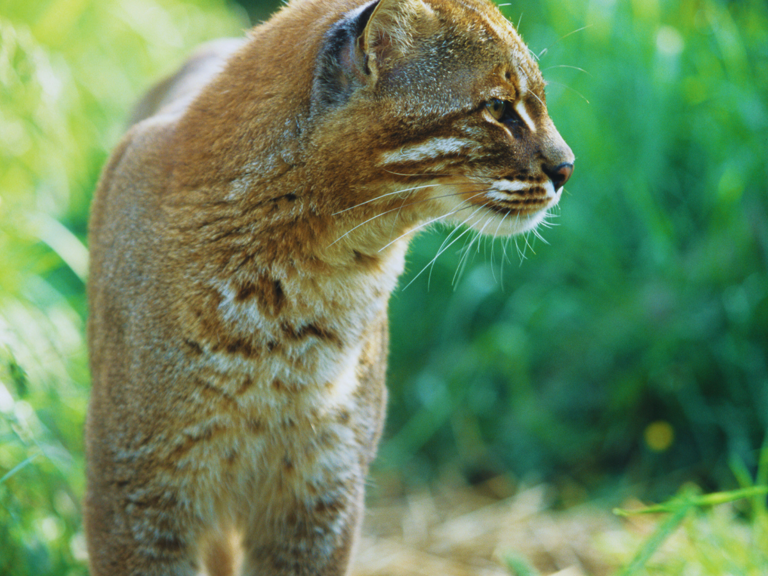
(464, 531)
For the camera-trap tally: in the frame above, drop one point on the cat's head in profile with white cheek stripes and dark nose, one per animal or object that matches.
(455, 113)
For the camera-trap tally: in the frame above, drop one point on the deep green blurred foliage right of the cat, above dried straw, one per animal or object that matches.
(650, 303)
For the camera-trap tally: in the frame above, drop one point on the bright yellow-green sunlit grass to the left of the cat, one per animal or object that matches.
(69, 73)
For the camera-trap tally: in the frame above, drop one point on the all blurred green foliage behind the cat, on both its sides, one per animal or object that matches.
(632, 347)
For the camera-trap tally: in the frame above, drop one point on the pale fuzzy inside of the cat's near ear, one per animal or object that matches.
(391, 31)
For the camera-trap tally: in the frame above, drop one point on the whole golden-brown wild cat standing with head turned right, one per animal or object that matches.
(246, 236)
